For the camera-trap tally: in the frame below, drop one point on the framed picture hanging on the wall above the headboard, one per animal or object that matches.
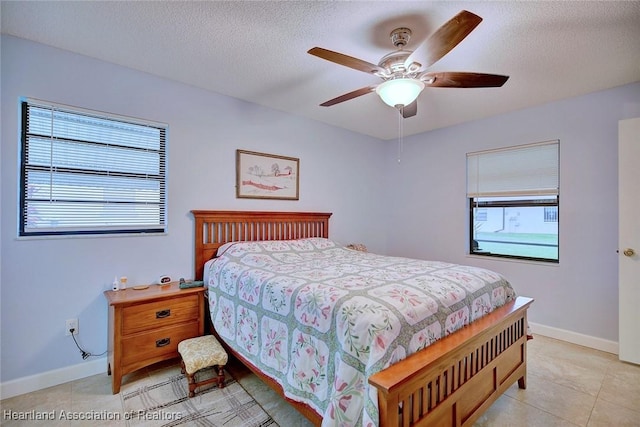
(267, 176)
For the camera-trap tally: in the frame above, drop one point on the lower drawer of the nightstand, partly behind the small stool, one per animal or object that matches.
(157, 343)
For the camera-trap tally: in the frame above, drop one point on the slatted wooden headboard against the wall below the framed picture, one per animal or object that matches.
(215, 228)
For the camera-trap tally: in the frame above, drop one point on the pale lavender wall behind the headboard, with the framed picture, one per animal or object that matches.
(46, 281)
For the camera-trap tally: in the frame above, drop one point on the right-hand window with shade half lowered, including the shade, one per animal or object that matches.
(513, 198)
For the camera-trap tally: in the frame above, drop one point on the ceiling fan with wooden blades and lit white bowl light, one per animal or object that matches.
(404, 71)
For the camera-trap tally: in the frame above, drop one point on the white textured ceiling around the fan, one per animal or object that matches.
(256, 51)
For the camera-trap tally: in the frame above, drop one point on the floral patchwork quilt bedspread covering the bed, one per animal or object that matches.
(320, 318)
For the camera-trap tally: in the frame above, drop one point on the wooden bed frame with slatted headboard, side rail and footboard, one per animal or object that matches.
(450, 383)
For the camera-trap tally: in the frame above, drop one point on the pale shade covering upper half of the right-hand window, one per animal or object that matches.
(524, 170)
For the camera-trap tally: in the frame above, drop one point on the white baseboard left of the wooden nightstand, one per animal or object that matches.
(50, 378)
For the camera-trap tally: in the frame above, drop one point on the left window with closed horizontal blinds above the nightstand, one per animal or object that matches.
(86, 172)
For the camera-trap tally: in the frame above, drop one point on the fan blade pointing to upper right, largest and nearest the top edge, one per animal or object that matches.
(444, 39)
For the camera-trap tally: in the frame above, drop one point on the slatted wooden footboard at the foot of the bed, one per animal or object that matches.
(454, 380)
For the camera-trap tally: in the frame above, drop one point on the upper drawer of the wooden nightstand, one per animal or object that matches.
(144, 317)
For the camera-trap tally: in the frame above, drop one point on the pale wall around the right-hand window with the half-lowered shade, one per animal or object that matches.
(580, 294)
